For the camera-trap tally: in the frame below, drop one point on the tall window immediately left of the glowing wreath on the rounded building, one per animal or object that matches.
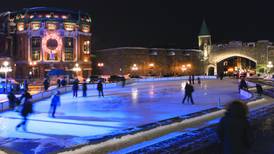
(35, 48)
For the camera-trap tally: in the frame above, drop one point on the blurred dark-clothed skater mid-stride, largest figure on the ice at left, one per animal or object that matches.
(26, 110)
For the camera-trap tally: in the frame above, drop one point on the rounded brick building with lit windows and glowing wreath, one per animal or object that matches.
(38, 40)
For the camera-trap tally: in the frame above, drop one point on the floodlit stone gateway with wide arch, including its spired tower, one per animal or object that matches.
(234, 56)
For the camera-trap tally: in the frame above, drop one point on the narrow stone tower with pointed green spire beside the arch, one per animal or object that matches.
(204, 40)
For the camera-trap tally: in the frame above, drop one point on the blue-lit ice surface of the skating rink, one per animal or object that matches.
(78, 119)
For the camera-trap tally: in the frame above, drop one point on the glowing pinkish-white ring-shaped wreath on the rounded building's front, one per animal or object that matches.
(53, 36)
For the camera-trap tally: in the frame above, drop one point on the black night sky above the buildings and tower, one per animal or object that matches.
(169, 23)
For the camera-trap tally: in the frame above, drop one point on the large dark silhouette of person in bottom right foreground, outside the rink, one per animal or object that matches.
(234, 129)
